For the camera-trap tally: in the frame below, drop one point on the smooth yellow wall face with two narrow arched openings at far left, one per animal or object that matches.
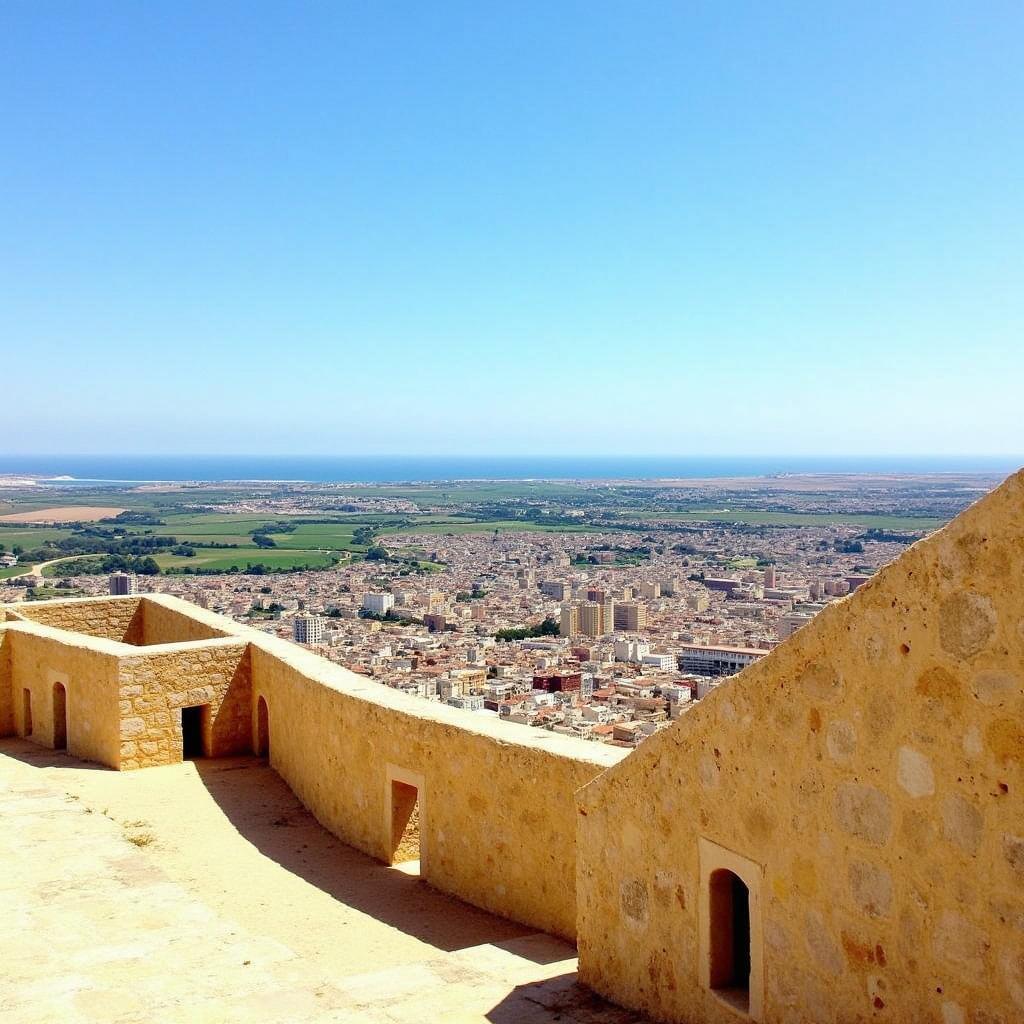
(88, 668)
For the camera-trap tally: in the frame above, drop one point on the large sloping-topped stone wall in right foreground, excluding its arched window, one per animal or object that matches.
(873, 770)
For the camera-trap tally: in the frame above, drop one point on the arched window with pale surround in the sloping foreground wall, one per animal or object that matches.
(732, 944)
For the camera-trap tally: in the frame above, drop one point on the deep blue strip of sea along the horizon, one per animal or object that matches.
(91, 470)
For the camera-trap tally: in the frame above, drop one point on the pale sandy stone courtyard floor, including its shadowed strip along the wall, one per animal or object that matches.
(205, 892)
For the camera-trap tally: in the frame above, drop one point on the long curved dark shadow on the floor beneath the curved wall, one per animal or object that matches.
(268, 815)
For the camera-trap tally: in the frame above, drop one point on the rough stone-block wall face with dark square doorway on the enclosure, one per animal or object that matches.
(155, 685)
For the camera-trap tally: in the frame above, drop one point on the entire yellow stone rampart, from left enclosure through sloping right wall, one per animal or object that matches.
(837, 835)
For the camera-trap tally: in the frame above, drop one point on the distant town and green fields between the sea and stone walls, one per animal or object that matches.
(603, 612)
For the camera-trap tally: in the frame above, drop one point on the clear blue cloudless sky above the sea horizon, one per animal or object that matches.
(503, 228)
